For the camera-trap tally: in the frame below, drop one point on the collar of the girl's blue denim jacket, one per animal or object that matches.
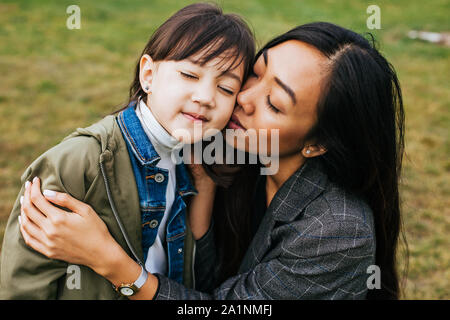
(144, 151)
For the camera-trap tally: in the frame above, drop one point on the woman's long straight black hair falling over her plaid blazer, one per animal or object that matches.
(361, 124)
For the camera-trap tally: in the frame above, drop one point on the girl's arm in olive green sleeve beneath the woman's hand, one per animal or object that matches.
(62, 169)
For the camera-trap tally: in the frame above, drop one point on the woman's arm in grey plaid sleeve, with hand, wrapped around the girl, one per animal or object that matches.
(305, 260)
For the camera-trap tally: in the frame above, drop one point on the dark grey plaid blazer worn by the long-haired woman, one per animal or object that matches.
(315, 241)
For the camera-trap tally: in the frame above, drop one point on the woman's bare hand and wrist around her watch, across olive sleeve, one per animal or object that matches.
(78, 237)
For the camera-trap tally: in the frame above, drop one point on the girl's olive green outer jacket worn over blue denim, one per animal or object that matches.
(92, 164)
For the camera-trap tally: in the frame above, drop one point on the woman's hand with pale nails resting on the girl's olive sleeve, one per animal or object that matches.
(78, 237)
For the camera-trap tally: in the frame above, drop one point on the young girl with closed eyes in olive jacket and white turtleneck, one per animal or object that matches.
(188, 76)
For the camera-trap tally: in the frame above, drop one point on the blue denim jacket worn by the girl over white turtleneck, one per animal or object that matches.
(152, 185)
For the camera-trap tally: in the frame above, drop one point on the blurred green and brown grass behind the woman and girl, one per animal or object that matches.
(53, 80)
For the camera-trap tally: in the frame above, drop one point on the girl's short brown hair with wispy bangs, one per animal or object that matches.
(195, 28)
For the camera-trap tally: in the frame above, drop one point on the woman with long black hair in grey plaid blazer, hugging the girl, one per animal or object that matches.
(330, 212)
